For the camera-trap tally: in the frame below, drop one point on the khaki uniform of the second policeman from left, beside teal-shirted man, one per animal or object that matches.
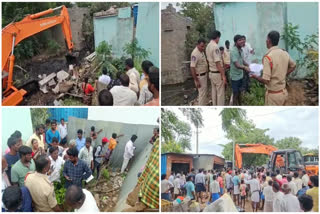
(217, 91)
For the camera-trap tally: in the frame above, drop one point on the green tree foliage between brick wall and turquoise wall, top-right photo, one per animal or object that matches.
(203, 24)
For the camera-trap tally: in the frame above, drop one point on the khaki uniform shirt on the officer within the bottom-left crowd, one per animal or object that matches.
(41, 191)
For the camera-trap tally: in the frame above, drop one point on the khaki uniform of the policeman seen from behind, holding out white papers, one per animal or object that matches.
(280, 61)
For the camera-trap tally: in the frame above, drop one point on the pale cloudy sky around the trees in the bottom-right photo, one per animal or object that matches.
(282, 122)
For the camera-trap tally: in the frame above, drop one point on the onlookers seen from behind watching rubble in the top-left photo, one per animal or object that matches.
(127, 88)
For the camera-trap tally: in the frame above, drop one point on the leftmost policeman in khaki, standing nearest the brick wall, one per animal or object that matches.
(199, 70)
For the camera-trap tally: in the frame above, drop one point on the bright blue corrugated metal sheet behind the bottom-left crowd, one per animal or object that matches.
(65, 113)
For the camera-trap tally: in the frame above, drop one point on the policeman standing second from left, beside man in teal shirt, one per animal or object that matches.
(216, 72)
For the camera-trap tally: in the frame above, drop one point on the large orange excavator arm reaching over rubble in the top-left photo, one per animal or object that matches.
(14, 33)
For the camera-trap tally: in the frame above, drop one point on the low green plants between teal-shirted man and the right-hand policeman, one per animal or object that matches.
(256, 95)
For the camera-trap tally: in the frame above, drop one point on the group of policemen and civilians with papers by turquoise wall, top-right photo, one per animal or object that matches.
(230, 65)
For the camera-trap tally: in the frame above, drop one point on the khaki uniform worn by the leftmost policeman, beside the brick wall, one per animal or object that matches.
(199, 62)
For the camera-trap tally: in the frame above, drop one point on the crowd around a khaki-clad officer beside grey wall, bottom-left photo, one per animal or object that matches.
(30, 169)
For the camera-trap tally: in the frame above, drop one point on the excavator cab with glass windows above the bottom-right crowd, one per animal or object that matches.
(286, 160)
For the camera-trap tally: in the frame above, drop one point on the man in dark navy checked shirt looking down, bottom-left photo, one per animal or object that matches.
(75, 170)
